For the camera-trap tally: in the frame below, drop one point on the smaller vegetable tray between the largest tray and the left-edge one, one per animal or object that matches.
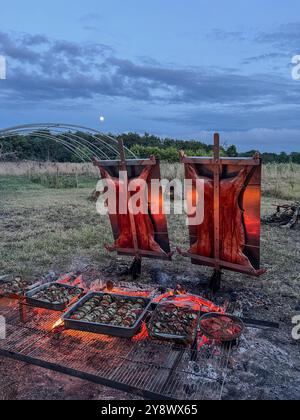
(54, 296)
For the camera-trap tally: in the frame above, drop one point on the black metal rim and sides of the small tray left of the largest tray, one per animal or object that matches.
(60, 307)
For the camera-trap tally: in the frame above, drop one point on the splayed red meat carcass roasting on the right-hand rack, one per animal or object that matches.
(232, 230)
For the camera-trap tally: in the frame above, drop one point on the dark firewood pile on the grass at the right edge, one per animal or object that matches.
(286, 216)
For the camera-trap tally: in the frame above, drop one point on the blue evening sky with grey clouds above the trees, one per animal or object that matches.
(180, 69)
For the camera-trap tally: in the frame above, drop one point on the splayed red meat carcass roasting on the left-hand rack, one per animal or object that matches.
(143, 223)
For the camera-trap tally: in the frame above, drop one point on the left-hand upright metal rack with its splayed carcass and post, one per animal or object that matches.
(140, 235)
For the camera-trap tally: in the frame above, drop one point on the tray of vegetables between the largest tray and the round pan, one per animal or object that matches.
(175, 319)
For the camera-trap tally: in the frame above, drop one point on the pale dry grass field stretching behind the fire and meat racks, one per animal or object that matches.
(46, 228)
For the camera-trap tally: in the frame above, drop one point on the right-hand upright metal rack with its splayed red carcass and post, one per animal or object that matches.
(229, 237)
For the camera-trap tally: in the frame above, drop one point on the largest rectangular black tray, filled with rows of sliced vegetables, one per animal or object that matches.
(108, 314)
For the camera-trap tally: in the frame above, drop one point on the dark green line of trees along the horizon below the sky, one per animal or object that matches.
(34, 147)
